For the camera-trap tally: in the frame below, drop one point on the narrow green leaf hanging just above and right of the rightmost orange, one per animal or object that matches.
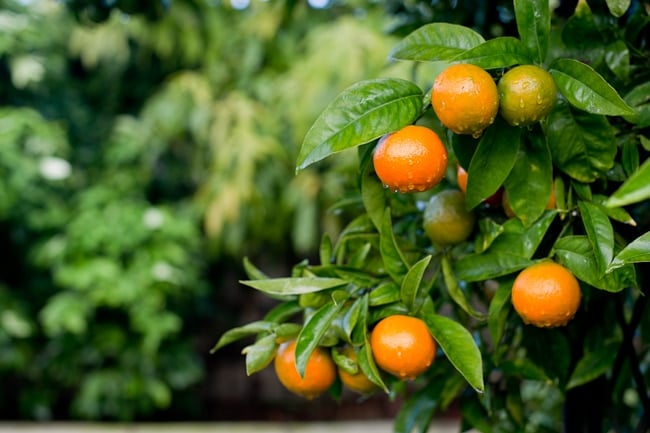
(600, 234)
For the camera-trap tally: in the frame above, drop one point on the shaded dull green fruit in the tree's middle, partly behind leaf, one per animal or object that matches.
(446, 220)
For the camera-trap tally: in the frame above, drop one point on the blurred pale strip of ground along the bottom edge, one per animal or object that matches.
(444, 426)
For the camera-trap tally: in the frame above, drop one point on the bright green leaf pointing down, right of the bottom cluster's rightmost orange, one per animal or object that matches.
(459, 346)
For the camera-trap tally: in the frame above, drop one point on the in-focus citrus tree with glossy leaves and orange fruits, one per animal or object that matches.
(502, 209)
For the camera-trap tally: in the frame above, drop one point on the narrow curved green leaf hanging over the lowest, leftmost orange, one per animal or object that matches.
(312, 331)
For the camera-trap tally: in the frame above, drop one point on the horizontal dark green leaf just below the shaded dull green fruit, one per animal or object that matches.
(479, 267)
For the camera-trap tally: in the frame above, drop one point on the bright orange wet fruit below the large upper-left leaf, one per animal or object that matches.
(411, 159)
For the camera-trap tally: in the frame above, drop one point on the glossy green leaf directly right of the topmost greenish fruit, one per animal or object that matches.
(586, 89)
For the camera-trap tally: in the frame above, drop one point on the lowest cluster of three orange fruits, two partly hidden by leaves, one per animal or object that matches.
(401, 345)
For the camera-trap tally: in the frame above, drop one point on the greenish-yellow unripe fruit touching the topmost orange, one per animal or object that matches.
(527, 94)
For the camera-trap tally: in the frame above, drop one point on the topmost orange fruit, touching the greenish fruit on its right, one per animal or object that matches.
(465, 99)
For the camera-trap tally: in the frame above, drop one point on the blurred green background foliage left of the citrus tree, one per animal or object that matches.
(145, 148)
